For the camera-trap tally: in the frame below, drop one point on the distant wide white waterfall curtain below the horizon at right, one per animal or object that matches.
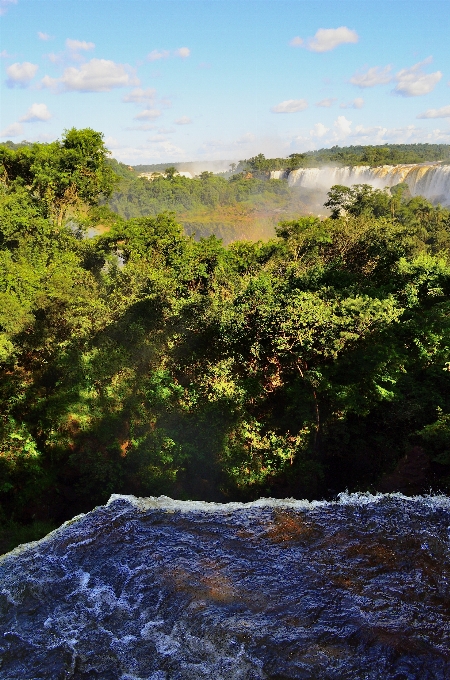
(429, 180)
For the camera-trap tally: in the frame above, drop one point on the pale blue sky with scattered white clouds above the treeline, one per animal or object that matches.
(172, 80)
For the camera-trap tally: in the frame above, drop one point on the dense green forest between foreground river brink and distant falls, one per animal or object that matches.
(138, 359)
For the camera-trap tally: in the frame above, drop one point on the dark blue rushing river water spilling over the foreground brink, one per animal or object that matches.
(157, 589)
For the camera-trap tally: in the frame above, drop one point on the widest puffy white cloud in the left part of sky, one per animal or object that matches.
(96, 75)
